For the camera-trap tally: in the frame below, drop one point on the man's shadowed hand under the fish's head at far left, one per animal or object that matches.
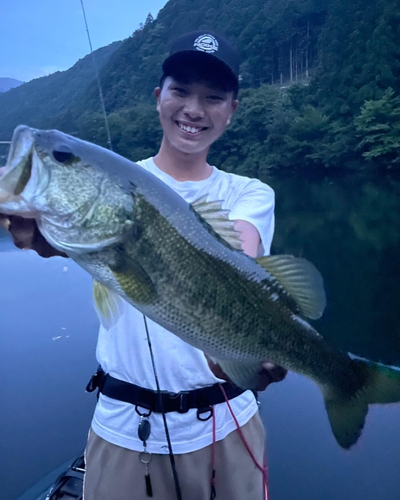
(26, 234)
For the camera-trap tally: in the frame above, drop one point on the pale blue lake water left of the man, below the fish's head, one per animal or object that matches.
(46, 412)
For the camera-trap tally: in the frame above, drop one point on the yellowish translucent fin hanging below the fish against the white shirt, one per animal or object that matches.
(109, 305)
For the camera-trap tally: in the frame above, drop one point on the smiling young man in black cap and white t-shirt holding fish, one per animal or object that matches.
(196, 100)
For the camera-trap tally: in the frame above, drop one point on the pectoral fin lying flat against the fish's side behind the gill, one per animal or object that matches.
(134, 281)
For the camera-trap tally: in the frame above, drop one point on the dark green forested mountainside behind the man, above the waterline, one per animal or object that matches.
(320, 83)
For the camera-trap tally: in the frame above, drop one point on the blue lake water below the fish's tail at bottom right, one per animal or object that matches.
(305, 462)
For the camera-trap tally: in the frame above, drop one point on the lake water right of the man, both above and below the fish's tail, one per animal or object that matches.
(348, 226)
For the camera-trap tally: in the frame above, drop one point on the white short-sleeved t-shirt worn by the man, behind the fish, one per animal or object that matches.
(123, 351)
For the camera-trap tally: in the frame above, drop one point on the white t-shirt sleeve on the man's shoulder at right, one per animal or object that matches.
(256, 204)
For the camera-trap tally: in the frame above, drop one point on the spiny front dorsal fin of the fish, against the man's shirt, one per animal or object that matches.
(218, 219)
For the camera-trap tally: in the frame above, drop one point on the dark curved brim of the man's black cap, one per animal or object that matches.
(207, 71)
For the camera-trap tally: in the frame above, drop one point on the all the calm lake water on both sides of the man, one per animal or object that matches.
(348, 226)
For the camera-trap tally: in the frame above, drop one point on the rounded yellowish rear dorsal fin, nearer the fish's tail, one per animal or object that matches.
(300, 279)
